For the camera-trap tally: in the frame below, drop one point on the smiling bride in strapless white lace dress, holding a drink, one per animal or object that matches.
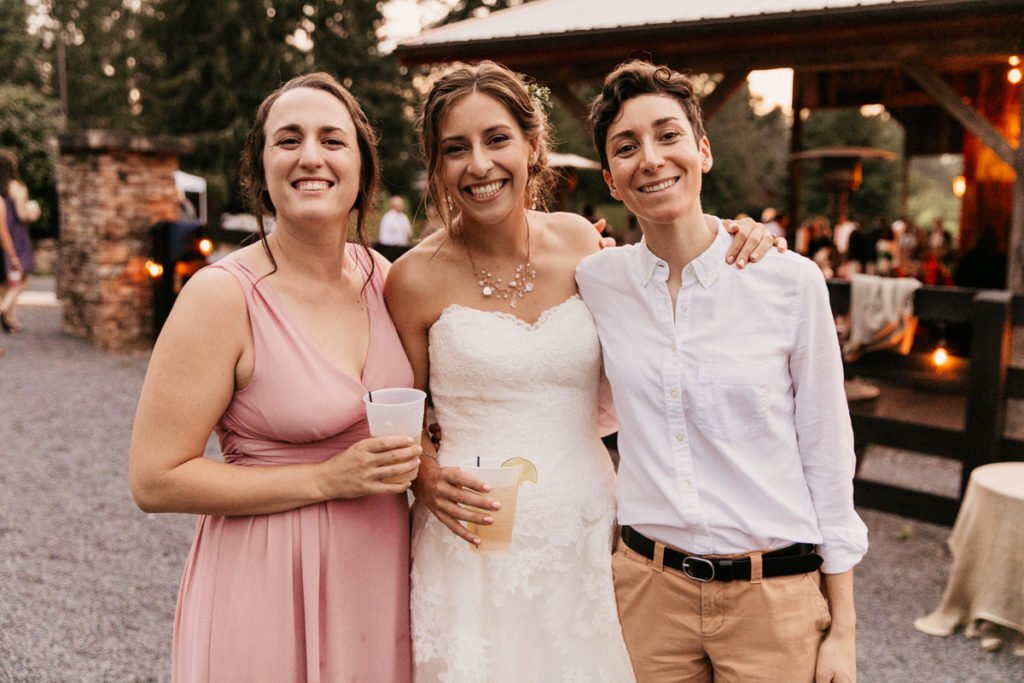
(514, 371)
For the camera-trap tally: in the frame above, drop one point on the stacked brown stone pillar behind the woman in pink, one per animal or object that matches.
(113, 188)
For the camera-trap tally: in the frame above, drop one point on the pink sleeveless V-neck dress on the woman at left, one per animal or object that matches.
(320, 593)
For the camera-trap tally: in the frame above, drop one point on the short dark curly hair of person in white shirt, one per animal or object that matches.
(633, 79)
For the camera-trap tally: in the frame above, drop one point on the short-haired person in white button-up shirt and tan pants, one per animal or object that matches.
(722, 453)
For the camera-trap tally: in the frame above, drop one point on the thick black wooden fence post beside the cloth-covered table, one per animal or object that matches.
(987, 398)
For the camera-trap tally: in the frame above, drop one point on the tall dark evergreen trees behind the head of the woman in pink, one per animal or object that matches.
(211, 66)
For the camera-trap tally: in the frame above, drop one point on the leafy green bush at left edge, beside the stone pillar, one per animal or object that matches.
(28, 122)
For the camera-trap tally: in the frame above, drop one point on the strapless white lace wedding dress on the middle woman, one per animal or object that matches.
(544, 611)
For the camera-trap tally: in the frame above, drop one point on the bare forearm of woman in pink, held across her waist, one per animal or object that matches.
(203, 486)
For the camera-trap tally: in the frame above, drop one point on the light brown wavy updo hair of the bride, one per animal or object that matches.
(514, 93)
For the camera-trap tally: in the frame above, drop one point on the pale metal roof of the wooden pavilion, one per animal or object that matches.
(552, 18)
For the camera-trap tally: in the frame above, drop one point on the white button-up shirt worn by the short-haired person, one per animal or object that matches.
(735, 432)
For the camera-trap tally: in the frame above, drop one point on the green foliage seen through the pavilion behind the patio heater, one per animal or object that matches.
(879, 193)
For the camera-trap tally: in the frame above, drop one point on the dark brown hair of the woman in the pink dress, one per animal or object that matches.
(254, 176)
